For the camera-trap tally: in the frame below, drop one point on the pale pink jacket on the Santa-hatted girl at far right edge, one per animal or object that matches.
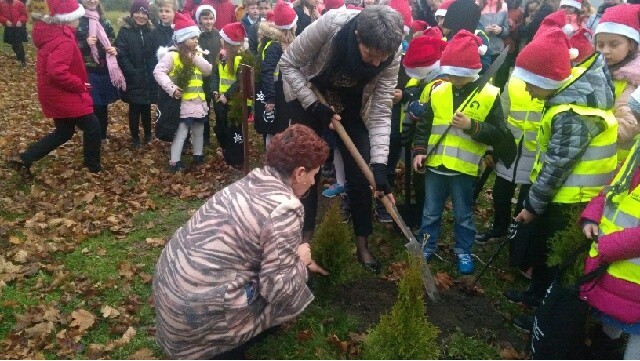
(627, 124)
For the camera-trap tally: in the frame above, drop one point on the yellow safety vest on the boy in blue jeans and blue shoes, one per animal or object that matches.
(457, 151)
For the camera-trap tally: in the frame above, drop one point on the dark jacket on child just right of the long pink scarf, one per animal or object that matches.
(137, 59)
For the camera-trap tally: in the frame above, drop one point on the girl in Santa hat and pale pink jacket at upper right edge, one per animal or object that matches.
(617, 39)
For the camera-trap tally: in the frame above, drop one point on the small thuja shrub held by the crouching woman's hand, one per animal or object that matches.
(331, 248)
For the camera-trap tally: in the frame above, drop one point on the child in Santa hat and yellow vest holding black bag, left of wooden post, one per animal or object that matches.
(225, 84)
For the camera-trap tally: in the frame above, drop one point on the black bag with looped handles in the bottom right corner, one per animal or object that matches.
(560, 322)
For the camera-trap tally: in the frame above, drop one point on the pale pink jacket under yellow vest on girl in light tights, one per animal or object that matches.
(195, 108)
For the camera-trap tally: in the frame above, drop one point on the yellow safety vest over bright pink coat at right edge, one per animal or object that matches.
(621, 212)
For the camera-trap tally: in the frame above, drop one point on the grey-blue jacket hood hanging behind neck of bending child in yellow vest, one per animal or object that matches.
(591, 86)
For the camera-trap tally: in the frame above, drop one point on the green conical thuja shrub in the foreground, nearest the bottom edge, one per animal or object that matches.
(405, 333)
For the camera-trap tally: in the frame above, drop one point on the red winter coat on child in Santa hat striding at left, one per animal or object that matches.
(62, 76)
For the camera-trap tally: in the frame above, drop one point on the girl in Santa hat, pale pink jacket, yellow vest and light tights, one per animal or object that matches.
(179, 72)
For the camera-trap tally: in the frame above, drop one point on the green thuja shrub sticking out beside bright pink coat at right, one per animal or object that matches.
(564, 243)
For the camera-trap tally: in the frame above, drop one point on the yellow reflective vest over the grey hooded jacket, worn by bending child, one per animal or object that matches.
(595, 167)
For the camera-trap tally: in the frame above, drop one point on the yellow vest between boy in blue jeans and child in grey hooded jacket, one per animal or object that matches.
(523, 121)
